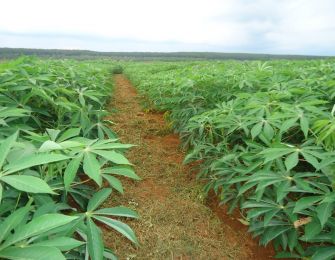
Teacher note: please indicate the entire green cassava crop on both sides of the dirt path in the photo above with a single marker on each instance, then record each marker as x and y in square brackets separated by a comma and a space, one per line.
[261, 134]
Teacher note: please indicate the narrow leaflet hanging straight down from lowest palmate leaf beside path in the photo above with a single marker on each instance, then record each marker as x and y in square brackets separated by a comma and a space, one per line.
[94, 241]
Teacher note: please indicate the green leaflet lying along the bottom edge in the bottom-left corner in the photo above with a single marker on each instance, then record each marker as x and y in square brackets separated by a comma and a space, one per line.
[32, 253]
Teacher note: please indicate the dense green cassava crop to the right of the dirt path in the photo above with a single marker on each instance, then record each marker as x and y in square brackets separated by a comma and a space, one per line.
[264, 135]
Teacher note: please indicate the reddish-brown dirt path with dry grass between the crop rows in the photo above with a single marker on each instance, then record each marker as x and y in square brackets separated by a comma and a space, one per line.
[175, 221]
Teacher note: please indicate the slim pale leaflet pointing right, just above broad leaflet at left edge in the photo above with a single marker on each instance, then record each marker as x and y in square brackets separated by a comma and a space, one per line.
[33, 160]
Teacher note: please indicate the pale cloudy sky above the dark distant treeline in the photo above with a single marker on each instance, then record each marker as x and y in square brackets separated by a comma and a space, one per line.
[253, 26]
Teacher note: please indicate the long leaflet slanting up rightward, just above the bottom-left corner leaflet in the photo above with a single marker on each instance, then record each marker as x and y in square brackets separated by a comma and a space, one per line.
[37, 226]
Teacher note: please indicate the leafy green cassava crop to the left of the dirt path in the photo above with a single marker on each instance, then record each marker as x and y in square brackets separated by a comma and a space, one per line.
[59, 161]
